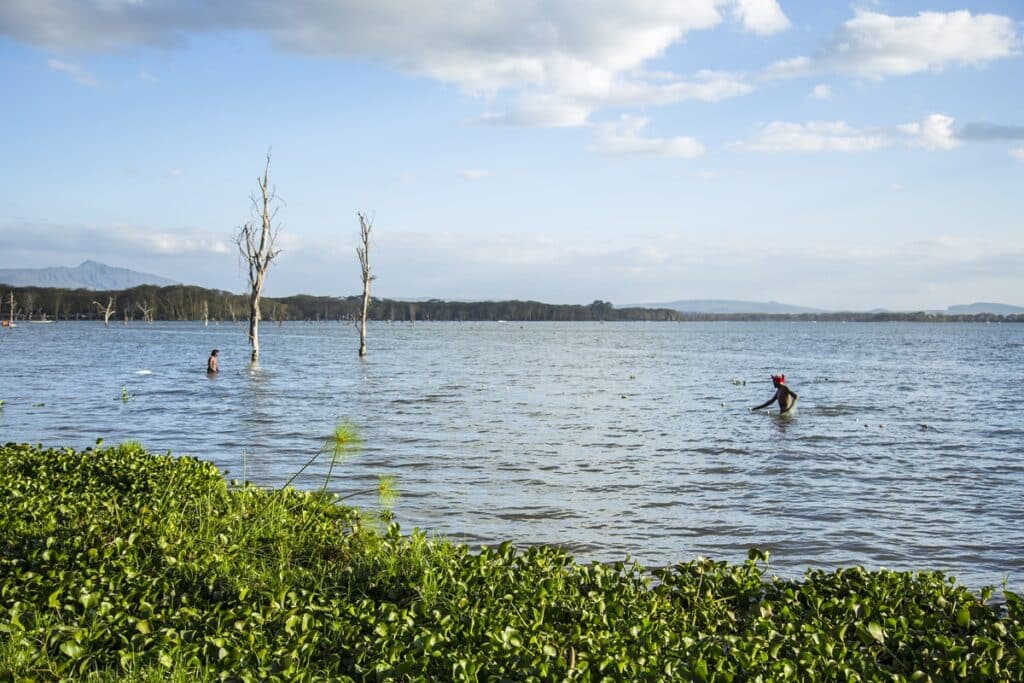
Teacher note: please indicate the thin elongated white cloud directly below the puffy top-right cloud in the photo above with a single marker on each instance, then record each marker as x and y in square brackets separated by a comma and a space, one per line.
[933, 133]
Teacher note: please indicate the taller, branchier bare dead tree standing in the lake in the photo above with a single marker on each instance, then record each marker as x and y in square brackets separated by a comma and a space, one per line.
[255, 241]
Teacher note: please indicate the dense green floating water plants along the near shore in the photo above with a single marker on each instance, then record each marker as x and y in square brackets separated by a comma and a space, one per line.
[121, 566]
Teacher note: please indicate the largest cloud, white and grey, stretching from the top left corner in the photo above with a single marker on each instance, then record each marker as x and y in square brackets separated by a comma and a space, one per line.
[558, 61]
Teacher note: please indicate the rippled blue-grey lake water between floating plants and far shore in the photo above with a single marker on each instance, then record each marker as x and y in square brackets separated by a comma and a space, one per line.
[612, 440]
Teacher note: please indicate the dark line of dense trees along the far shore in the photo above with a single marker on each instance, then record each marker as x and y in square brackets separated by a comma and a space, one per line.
[181, 303]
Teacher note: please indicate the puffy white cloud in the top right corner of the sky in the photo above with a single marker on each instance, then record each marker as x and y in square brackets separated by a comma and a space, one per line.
[875, 46]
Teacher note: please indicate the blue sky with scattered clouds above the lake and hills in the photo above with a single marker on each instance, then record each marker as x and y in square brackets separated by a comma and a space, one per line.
[832, 155]
